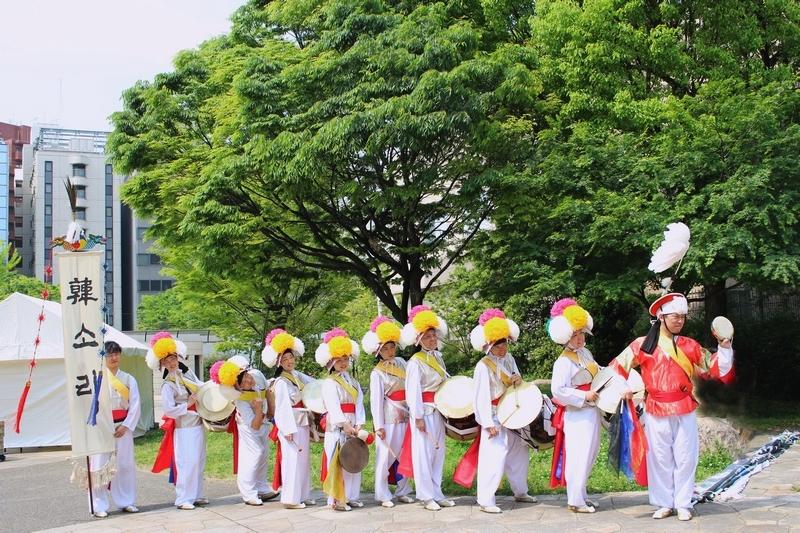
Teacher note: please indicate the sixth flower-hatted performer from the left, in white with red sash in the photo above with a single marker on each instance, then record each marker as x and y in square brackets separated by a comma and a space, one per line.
[425, 373]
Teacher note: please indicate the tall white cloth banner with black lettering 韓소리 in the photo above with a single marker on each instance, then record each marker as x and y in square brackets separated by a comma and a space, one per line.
[81, 281]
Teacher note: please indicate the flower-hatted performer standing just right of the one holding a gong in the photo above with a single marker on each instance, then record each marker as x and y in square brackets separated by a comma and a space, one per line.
[388, 407]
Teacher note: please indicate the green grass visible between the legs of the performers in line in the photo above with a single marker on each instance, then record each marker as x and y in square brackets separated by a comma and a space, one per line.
[220, 460]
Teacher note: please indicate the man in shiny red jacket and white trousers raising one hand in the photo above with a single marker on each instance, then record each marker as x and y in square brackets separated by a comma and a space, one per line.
[670, 423]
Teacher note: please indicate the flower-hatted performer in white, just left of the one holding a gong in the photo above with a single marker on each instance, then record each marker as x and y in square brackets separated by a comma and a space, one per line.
[291, 472]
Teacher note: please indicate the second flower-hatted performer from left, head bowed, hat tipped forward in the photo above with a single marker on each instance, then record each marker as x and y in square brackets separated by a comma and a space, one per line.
[251, 428]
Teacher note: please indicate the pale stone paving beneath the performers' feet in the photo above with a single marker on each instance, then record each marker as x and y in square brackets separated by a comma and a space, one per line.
[770, 503]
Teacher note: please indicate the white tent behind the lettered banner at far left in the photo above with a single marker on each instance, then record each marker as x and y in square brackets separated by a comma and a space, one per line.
[45, 421]
